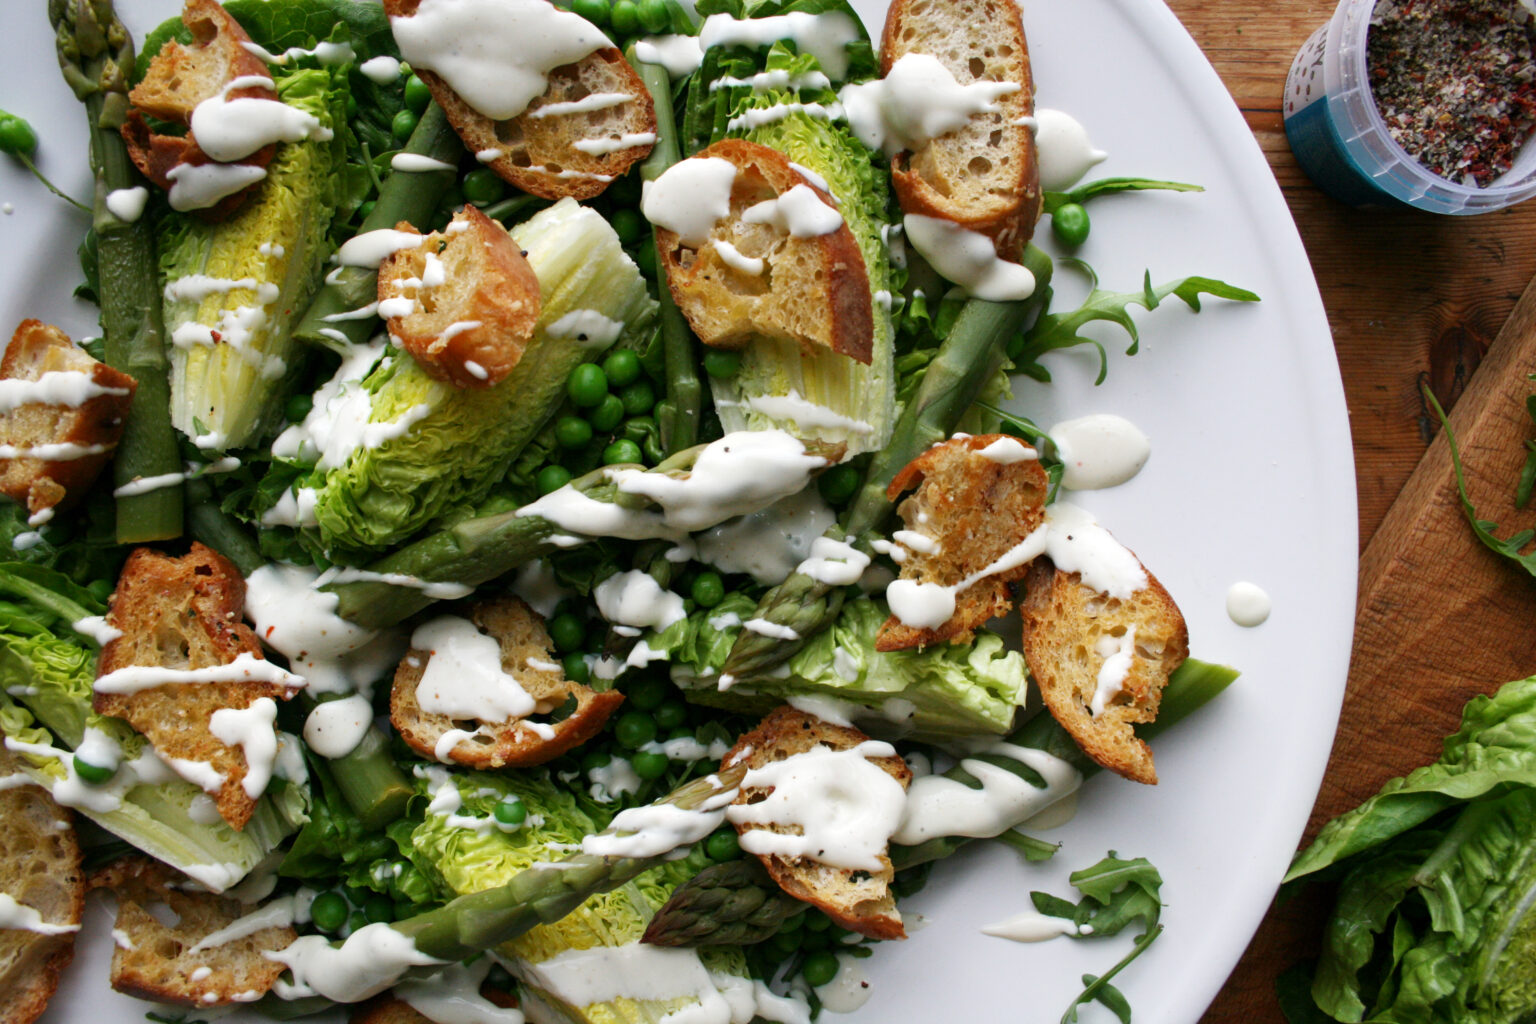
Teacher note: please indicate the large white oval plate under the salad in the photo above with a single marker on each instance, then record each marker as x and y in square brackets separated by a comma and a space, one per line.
[1251, 480]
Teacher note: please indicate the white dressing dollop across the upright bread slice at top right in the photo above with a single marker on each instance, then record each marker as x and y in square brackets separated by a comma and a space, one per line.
[918, 101]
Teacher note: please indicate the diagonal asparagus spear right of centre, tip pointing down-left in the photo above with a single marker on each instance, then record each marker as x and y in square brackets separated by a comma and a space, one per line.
[967, 360]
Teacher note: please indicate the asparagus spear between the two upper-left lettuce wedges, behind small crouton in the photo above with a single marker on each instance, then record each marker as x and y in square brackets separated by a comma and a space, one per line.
[405, 197]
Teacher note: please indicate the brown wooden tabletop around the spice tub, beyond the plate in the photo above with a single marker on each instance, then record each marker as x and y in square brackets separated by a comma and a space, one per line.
[1411, 299]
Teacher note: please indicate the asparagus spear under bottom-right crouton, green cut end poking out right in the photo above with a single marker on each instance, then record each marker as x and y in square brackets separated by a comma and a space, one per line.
[741, 907]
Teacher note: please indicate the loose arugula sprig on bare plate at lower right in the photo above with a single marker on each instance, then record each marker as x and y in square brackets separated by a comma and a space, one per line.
[1116, 894]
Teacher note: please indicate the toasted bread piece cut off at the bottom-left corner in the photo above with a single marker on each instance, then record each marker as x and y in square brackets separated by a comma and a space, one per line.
[39, 870]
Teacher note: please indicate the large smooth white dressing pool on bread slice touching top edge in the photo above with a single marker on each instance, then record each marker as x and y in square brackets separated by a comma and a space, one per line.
[497, 55]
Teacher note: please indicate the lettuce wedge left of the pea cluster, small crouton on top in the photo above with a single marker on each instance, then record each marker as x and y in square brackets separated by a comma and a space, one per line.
[454, 444]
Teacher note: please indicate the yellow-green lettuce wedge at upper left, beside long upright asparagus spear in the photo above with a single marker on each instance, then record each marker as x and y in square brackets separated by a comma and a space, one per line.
[234, 348]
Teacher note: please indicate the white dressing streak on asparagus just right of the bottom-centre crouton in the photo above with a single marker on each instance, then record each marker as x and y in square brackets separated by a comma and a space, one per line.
[944, 807]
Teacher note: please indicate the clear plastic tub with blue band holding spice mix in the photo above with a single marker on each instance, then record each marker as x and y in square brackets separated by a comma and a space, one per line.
[1343, 144]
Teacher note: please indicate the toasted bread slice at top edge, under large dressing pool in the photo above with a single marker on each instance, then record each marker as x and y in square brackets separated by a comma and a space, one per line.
[557, 148]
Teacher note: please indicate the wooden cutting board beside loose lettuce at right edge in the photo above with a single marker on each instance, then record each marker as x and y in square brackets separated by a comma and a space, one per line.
[1440, 619]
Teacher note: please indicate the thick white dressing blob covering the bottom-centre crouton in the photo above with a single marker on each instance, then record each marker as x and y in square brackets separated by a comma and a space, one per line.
[846, 807]
